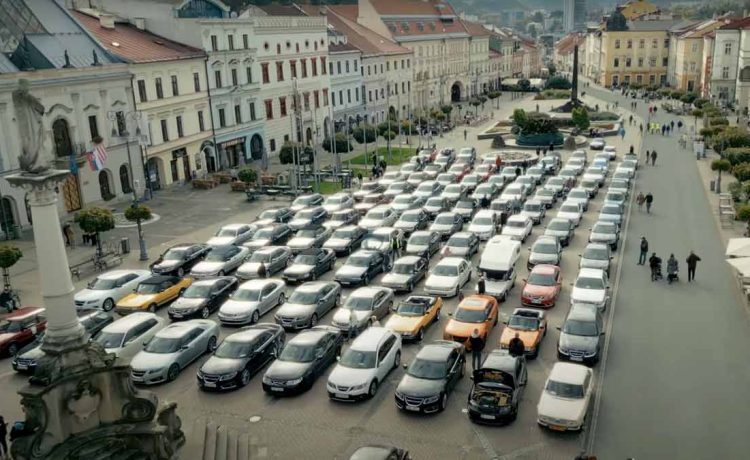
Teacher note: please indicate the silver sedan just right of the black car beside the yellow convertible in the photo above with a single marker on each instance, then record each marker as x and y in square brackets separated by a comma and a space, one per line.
[251, 300]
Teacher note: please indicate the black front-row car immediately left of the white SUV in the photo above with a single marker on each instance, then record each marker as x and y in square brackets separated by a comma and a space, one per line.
[303, 360]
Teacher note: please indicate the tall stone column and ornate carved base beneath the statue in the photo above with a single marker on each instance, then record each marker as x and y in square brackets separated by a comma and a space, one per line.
[80, 403]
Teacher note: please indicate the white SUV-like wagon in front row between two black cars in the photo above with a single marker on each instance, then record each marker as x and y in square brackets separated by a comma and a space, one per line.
[365, 365]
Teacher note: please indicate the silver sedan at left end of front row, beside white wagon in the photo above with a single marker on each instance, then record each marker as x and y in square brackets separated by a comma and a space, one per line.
[172, 349]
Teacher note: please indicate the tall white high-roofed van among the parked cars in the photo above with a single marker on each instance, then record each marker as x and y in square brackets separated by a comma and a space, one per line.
[498, 265]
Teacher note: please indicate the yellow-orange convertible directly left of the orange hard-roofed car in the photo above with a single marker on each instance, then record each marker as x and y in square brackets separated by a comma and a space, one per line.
[413, 315]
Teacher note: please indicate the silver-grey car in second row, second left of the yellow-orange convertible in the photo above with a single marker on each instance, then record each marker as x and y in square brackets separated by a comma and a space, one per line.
[308, 303]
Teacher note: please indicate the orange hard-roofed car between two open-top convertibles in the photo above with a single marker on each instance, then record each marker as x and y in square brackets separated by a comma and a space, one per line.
[474, 312]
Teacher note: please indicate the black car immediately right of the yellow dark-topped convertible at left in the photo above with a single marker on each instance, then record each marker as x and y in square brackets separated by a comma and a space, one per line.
[202, 298]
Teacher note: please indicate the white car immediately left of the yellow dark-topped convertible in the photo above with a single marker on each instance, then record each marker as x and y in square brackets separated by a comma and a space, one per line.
[108, 288]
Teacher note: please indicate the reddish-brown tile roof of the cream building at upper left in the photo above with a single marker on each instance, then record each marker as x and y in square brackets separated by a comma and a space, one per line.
[135, 45]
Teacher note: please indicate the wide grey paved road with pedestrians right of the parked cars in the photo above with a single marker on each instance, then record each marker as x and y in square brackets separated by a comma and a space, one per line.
[677, 375]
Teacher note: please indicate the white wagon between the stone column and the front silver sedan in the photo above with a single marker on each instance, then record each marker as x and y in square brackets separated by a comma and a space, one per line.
[126, 336]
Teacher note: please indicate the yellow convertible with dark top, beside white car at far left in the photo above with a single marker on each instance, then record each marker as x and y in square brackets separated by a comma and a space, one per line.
[152, 293]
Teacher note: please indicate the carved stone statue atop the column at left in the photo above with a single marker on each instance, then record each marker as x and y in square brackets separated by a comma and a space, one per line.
[29, 112]
